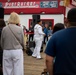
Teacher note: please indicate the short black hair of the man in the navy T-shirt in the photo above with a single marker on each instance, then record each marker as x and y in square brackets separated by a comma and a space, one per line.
[71, 16]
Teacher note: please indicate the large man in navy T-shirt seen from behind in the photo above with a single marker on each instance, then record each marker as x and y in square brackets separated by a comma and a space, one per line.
[62, 45]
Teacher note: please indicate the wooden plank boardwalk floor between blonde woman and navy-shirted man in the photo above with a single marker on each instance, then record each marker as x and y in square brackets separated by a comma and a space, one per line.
[33, 66]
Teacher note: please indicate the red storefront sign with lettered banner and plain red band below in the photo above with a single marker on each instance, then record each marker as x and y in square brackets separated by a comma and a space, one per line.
[32, 6]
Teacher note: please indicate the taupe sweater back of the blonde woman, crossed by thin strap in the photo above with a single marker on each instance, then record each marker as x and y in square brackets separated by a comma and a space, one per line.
[11, 39]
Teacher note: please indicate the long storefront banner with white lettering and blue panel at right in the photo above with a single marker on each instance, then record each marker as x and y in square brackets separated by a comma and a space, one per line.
[41, 4]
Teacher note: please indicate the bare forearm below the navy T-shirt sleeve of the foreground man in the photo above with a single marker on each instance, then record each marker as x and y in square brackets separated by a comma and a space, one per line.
[49, 64]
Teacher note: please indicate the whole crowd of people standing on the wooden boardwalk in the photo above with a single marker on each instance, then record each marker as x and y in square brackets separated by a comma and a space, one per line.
[60, 47]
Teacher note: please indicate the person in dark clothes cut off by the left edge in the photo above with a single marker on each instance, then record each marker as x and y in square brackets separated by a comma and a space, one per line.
[2, 24]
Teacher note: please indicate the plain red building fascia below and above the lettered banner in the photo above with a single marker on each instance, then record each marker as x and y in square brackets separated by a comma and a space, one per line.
[59, 10]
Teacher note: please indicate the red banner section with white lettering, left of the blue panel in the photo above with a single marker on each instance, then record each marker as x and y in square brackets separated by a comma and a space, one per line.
[21, 5]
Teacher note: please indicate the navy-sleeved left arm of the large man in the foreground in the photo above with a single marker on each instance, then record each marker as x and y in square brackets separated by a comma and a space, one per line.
[50, 54]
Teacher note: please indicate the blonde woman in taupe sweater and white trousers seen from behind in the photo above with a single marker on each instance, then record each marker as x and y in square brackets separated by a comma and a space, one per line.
[12, 43]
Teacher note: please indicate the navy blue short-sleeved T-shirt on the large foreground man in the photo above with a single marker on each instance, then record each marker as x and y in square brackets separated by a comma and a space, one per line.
[62, 45]
